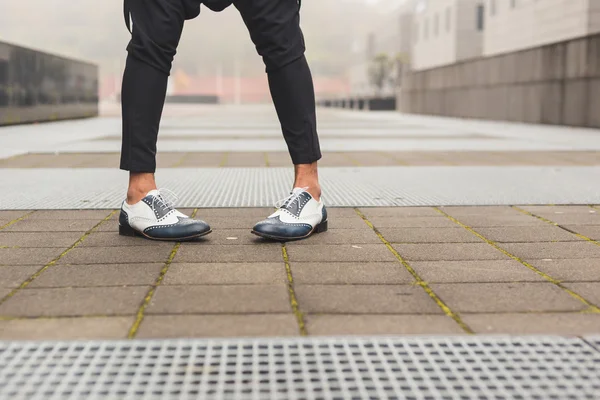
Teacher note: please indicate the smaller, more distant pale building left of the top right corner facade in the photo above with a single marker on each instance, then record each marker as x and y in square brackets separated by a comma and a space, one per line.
[446, 32]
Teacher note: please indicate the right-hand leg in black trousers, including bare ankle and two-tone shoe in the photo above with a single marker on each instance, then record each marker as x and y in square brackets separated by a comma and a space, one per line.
[274, 27]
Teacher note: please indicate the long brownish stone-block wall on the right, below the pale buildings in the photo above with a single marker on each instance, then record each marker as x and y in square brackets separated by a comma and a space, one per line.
[553, 84]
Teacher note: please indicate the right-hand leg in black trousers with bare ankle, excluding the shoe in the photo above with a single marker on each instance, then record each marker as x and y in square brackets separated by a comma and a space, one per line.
[274, 27]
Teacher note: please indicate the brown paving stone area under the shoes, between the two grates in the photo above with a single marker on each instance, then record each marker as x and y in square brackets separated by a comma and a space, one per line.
[451, 270]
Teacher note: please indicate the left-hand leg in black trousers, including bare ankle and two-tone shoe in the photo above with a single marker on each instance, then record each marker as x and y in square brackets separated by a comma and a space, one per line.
[157, 27]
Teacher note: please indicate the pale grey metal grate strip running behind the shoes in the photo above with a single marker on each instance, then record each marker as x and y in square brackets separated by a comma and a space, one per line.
[343, 187]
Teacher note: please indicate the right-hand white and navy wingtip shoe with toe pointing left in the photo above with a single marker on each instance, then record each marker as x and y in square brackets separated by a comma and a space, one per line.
[298, 217]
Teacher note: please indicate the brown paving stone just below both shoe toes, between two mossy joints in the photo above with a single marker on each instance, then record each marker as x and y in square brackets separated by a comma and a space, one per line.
[198, 253]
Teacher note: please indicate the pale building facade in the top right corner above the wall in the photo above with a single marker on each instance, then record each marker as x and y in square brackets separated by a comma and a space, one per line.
[513, 25]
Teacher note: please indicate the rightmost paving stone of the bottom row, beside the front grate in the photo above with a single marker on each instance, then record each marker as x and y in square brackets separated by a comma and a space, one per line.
[534, 324]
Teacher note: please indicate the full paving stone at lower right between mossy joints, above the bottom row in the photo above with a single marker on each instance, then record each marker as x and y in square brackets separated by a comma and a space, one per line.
[506, 297]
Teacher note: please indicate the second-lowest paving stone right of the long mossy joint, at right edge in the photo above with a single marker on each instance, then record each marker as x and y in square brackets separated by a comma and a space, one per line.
[569, 270]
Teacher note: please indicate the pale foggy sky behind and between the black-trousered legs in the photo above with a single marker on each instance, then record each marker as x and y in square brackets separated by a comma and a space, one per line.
[93, 30]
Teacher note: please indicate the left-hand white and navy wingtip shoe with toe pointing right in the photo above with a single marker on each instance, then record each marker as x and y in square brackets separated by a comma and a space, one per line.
[155, 218]
